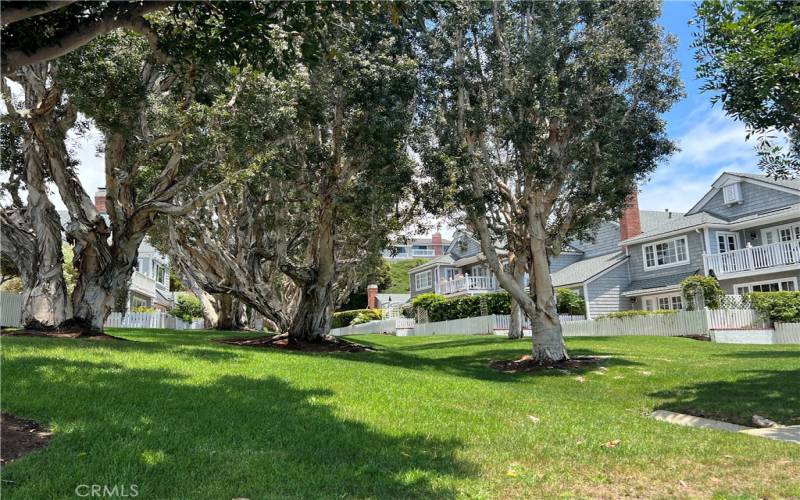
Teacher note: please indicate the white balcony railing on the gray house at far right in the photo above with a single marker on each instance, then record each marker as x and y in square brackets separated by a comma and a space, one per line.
[785, 253]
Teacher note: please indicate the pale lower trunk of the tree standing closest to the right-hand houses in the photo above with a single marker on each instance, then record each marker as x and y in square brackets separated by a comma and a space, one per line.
[548, 340]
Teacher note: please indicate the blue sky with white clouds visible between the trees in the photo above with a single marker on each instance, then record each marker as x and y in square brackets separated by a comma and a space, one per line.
[710, 142]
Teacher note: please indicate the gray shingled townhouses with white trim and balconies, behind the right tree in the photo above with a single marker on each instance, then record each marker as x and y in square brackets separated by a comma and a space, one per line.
[745, 231]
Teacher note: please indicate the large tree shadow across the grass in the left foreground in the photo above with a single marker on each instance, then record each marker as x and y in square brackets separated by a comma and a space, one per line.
[232, 437]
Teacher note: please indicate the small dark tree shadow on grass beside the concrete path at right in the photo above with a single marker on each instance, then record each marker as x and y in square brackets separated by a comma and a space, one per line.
[770, 393]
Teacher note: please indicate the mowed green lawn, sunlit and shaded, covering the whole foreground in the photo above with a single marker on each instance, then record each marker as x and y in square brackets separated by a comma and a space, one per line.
[182, 417]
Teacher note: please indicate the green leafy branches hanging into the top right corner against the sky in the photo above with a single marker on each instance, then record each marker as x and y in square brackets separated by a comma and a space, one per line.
[747, 53]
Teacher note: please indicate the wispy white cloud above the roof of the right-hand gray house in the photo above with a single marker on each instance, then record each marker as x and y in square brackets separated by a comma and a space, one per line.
[712, 143]
